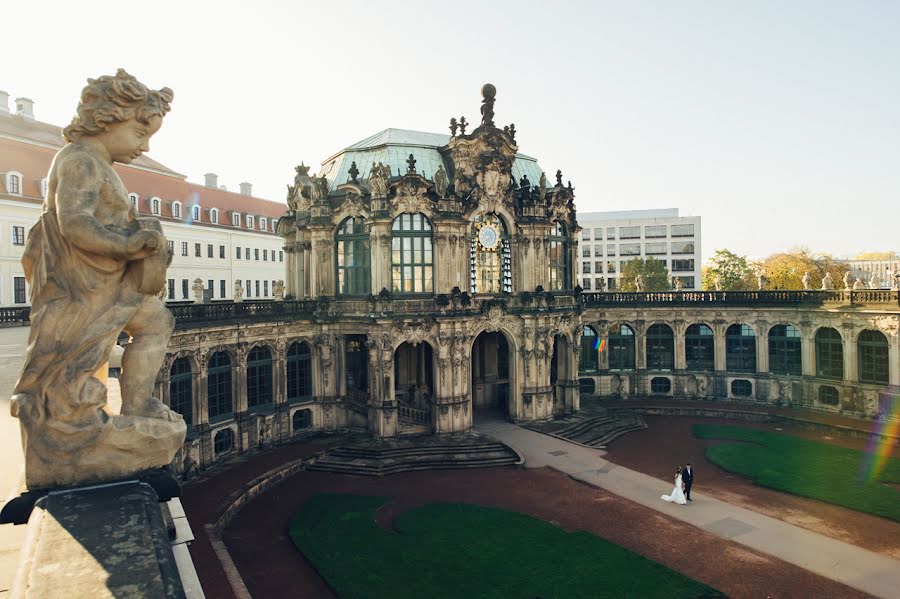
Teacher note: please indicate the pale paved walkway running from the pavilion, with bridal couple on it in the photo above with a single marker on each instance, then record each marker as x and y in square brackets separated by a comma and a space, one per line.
[864, 570]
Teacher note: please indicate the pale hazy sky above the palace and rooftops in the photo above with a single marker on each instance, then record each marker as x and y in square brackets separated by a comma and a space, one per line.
[777, 122]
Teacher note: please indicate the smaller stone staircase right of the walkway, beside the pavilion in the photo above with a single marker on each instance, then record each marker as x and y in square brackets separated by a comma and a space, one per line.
[594, 428]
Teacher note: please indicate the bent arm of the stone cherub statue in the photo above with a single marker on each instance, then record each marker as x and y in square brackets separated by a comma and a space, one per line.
[77, 199]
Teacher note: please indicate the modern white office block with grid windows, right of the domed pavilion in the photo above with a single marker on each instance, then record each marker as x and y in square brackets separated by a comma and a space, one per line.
[610, 239]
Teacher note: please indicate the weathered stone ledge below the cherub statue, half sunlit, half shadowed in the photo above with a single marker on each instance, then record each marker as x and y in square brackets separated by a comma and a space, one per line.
[98, 542]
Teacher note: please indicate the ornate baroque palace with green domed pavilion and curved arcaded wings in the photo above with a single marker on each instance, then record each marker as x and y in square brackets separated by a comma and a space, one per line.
[431, 275]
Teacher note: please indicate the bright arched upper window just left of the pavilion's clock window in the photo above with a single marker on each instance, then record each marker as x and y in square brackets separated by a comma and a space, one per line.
[412, 259]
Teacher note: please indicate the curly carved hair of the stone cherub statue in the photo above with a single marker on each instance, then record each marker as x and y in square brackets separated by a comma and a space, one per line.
[115, 99]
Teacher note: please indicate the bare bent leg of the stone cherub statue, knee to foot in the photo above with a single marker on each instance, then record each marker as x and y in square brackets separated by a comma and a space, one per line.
[150, 329]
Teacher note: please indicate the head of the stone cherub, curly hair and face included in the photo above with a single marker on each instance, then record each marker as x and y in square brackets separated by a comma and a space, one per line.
[120, 112]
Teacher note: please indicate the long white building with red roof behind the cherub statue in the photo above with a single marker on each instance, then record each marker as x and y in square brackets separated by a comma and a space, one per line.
[215, 235]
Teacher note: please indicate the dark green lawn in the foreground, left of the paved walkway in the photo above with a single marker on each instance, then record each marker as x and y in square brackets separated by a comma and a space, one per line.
[460, 550]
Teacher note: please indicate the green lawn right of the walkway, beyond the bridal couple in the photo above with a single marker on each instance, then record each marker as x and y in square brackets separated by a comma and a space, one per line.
[809, 468]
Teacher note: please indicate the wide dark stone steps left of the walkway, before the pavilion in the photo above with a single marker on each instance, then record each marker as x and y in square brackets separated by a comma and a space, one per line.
[425, 453]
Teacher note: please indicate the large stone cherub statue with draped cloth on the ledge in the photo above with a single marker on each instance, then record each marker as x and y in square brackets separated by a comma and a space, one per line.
[95, 268]
